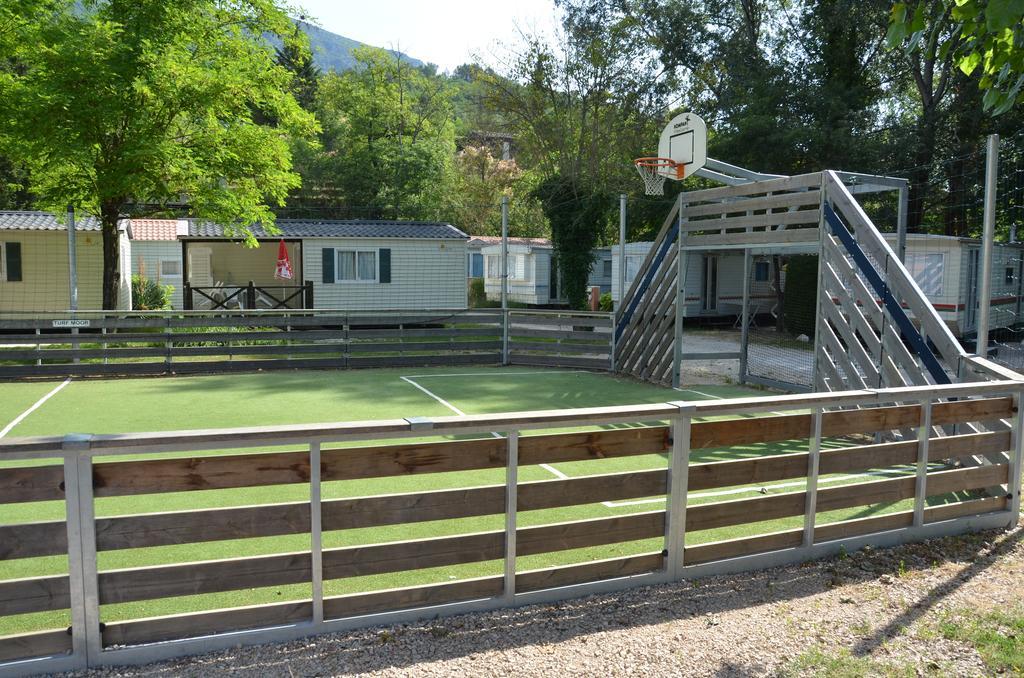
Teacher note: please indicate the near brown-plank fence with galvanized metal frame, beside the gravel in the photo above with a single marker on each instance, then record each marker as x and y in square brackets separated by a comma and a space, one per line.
[666, 541]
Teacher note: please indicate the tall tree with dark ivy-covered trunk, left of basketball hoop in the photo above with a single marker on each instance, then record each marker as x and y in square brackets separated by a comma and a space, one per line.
[582, 109]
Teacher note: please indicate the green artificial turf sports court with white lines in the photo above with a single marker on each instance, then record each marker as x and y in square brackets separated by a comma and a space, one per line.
[55, 408]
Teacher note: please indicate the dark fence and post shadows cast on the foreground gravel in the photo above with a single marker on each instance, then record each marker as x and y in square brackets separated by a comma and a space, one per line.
[382, 649]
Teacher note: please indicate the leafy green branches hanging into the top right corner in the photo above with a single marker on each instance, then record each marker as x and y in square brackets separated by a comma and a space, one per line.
[987, 36]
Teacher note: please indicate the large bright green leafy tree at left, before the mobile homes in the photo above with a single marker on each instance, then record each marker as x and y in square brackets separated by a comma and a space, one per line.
[111, 104]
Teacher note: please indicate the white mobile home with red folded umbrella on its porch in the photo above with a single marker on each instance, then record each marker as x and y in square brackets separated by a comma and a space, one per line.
[346, 266]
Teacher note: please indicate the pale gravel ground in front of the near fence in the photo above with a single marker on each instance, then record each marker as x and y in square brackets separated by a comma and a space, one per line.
[872, 604]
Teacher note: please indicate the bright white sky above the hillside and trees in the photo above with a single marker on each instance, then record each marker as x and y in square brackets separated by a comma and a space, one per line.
[443, 32]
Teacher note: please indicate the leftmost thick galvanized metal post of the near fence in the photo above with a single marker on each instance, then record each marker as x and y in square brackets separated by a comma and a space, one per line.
[84, 590]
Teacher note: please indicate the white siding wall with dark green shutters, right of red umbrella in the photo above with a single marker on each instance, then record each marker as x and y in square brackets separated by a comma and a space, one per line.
[426, 275]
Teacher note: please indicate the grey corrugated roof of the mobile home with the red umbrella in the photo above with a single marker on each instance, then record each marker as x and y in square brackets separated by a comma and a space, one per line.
[340, 229]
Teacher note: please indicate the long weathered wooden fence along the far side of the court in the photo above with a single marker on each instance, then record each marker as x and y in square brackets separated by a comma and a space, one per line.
[197, 343]
